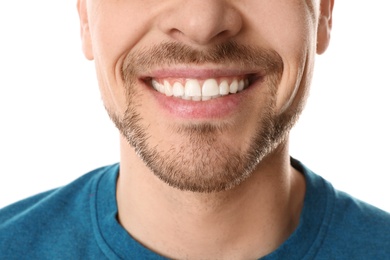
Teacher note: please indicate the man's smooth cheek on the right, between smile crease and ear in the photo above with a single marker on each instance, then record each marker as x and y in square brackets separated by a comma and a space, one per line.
[288, 28]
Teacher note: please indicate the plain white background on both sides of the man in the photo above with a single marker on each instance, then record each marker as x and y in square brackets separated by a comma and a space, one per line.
[53, 127]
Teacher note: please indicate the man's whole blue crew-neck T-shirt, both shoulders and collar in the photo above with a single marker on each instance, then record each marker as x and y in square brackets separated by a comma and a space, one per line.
[78, 221]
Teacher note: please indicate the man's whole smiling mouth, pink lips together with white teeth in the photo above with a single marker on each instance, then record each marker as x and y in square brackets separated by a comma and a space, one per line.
[207, 94]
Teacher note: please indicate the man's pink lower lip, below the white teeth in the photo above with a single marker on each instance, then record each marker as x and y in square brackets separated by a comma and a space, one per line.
[217, 108]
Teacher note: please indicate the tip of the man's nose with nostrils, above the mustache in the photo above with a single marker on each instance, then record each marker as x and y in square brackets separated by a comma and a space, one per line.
[202, 22]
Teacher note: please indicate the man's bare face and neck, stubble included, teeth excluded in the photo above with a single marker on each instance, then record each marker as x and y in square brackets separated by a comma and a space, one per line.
[211, 205]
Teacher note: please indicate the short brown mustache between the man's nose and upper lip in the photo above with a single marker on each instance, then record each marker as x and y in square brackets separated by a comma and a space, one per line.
[171, 53]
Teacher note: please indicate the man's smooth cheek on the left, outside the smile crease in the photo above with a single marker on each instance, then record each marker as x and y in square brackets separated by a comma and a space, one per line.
[115, 30]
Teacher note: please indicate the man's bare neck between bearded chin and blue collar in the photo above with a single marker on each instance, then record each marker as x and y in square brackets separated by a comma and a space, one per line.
[248, 221]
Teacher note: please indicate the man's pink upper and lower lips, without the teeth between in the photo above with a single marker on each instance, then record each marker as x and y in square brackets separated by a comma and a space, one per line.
[218, 108]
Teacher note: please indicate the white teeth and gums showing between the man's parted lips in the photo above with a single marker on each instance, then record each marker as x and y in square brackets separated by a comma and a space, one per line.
[201, 89]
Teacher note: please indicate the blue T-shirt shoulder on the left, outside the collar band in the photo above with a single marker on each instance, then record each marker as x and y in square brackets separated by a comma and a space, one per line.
[53, 221]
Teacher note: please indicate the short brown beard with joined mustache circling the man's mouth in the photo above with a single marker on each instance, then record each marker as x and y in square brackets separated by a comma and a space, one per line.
[202, 160]
